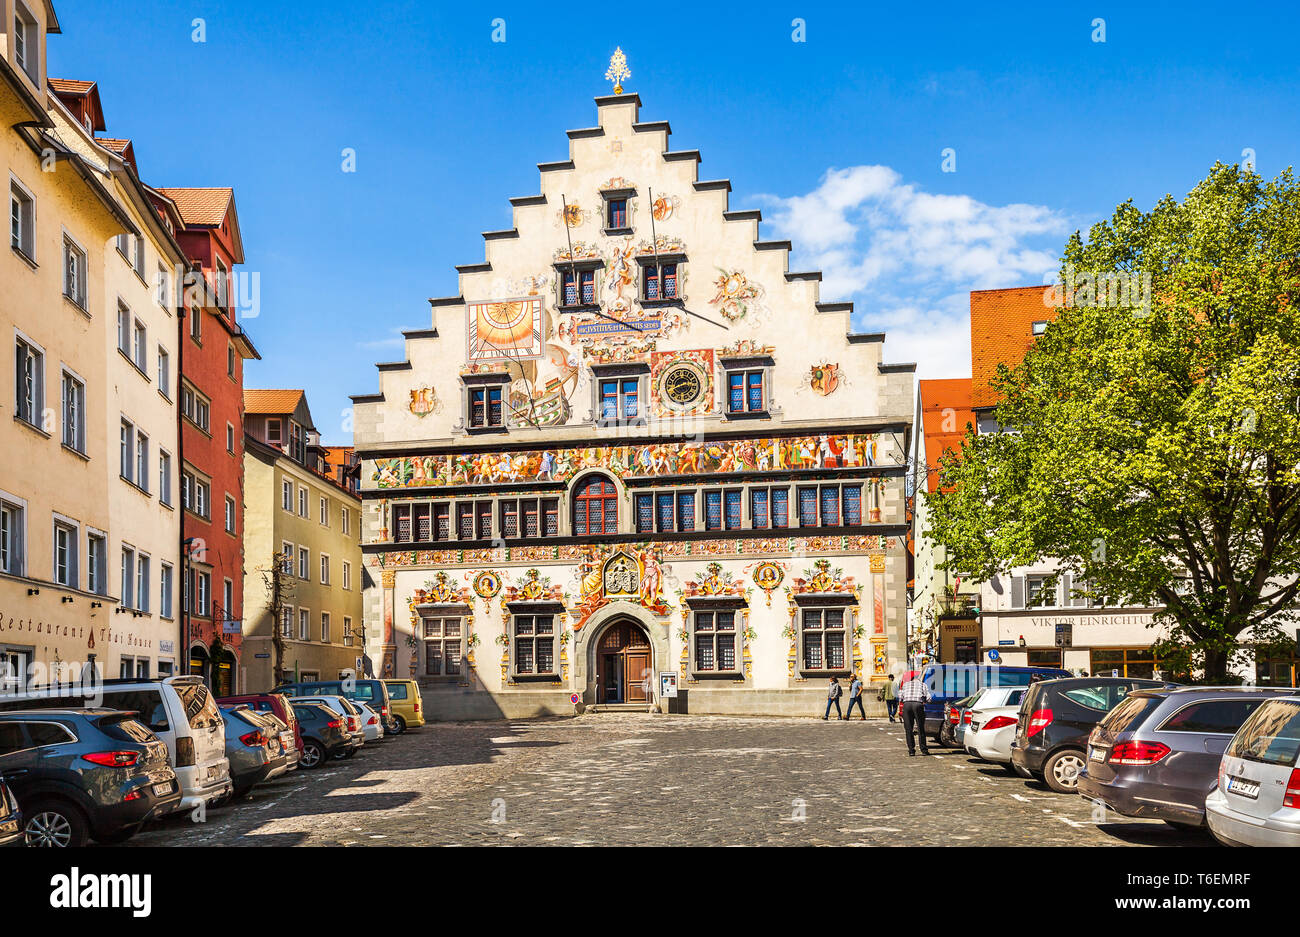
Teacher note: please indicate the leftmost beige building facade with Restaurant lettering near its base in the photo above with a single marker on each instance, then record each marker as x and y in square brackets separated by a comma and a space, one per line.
[60, 582]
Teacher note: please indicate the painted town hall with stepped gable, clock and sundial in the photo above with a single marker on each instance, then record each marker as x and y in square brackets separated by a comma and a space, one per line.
[635, 445]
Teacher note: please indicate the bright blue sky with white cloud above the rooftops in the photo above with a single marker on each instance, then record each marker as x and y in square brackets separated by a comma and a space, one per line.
[839, 140]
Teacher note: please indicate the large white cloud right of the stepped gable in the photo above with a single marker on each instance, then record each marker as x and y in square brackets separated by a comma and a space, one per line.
[911, 259]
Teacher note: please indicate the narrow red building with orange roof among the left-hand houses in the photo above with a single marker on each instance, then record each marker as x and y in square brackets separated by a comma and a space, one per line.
[214, 350]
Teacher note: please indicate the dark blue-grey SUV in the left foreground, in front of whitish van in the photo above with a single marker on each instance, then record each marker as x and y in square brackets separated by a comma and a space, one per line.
[85, 774]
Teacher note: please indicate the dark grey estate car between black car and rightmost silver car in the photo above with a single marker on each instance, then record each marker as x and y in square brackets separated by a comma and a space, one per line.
[1158, 754]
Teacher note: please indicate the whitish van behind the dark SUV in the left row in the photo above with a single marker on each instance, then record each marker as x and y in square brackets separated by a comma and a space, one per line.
[179, 710]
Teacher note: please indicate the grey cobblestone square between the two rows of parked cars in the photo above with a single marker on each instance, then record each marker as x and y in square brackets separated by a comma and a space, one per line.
[642, 780]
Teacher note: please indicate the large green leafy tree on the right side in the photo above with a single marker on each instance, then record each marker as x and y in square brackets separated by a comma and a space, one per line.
[1155, 445]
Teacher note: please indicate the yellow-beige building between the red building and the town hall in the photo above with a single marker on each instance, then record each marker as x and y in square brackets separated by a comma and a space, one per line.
[302, 548]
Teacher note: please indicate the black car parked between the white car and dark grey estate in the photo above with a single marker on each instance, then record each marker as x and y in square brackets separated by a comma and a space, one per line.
[1056, 718]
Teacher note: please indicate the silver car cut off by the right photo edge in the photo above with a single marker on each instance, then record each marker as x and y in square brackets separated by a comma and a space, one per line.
[1258, 799]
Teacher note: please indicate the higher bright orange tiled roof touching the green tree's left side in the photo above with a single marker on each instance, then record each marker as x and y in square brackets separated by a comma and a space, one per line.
[1002, 332]
